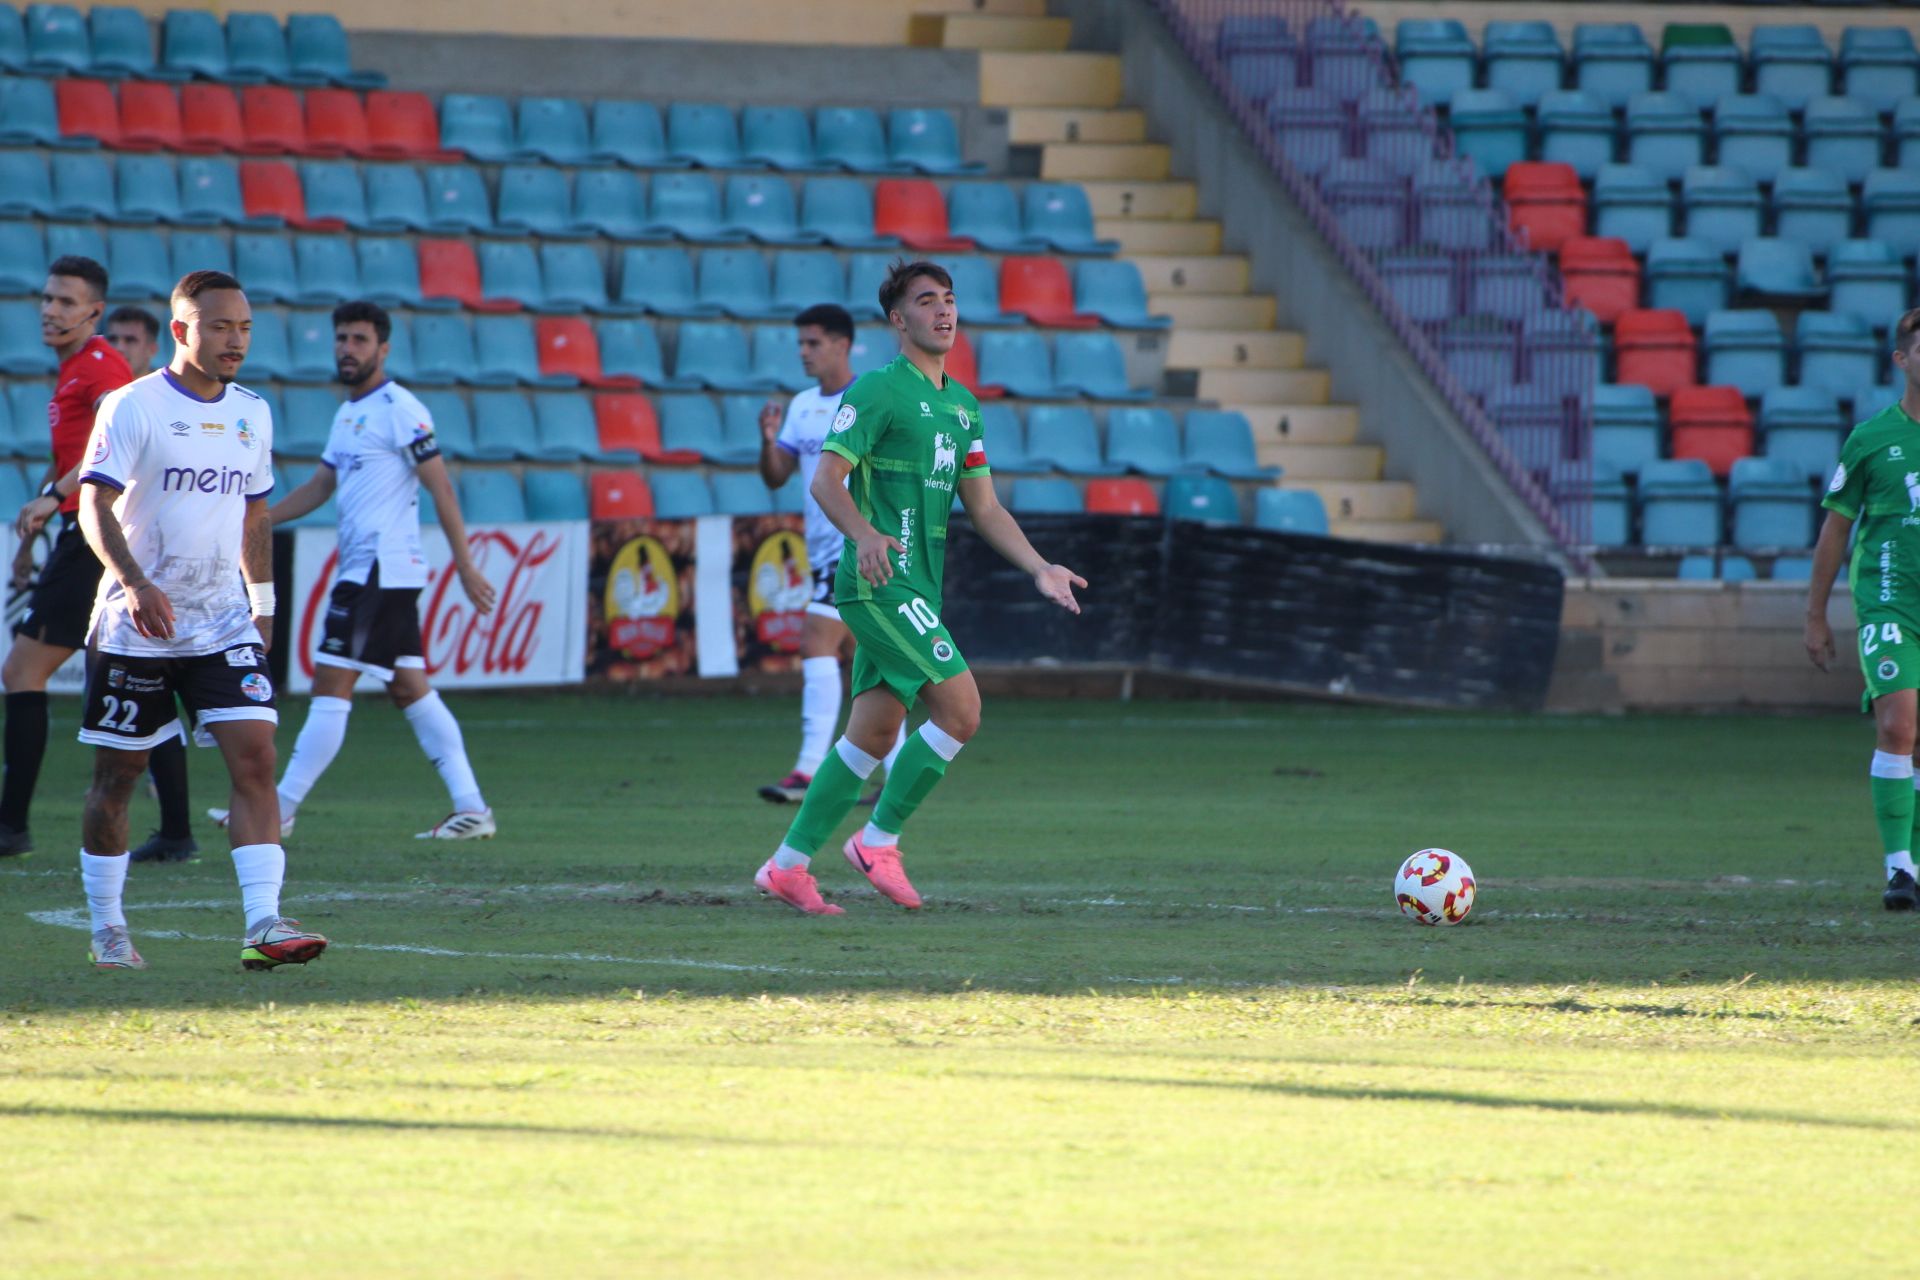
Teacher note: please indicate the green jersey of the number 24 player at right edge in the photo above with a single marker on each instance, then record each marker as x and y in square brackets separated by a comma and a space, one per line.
[1879, 485]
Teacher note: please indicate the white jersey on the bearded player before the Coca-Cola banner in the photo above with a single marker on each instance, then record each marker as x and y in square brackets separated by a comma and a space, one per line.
[375, 446]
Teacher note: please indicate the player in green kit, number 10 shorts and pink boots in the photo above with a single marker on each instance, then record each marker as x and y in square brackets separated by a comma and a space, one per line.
[905, 440]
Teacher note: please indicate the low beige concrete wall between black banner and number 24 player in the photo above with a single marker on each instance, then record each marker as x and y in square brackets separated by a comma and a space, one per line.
[1683, 646]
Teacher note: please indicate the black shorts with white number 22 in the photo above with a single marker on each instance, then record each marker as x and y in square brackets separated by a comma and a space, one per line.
[133, 699]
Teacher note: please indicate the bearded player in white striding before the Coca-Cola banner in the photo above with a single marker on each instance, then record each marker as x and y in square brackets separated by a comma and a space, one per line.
[377, 458]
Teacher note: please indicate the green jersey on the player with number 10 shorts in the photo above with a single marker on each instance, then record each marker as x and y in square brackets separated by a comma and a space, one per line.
[911, 444]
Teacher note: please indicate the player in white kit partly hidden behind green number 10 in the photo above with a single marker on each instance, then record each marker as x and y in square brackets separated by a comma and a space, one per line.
[792, 442]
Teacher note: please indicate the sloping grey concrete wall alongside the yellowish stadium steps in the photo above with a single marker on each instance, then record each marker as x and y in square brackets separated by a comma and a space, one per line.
[1399, 406]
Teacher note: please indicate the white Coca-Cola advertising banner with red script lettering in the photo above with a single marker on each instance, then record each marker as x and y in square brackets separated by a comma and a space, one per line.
[535, 636]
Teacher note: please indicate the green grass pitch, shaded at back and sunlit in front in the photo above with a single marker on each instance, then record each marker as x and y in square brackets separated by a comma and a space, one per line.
[1159, 1018]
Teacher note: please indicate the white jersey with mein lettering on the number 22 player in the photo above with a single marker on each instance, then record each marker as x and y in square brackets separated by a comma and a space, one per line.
[185, 471]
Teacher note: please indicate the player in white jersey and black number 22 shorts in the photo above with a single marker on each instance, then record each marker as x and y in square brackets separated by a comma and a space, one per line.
[176, 481]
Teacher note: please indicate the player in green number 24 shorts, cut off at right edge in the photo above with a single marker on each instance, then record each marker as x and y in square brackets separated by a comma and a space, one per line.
[1879, 485]
